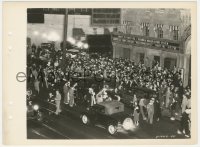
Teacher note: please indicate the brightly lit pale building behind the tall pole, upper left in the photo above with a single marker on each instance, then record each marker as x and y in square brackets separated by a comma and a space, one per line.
[81, 22]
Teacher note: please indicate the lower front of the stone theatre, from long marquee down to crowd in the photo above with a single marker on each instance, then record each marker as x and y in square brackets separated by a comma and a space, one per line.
[167, 53]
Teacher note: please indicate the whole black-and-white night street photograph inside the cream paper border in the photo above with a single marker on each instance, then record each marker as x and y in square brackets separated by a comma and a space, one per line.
[108, 73]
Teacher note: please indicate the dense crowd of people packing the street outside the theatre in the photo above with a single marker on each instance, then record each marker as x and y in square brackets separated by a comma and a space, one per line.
[53, 75]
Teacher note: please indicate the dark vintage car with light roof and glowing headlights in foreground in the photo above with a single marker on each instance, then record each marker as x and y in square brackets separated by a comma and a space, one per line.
[110, 115]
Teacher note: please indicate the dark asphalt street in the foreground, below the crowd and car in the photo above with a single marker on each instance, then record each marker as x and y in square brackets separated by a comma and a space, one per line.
[69, 126]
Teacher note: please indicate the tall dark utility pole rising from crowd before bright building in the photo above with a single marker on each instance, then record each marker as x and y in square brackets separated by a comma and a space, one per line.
[65, 35]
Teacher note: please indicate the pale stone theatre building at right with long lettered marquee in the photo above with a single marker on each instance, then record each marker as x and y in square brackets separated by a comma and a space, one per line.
[155, 35]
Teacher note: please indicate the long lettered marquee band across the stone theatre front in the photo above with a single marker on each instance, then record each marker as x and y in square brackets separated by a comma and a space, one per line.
[150, 42]
